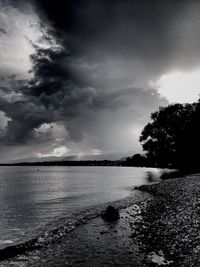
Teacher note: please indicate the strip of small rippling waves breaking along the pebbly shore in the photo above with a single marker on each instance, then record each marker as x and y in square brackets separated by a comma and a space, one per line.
[55, 230]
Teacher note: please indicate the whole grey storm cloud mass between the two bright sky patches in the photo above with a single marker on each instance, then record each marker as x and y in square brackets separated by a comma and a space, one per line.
[101, 57]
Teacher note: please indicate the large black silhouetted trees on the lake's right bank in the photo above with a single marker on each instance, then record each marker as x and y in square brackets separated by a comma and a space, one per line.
[172, 137]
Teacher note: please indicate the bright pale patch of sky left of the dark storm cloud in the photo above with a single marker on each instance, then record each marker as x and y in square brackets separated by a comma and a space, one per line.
[18, 30]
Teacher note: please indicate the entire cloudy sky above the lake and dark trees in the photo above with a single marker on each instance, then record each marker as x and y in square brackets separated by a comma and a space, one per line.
[80, 78]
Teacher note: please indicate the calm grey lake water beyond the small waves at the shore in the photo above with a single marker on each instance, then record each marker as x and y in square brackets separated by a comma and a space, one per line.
[30, 197]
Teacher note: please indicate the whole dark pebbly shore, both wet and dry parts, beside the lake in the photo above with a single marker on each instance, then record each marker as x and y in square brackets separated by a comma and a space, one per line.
[162, 229]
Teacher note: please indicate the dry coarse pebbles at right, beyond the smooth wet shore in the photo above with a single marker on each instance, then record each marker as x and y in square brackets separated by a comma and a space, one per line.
[171, 221]
